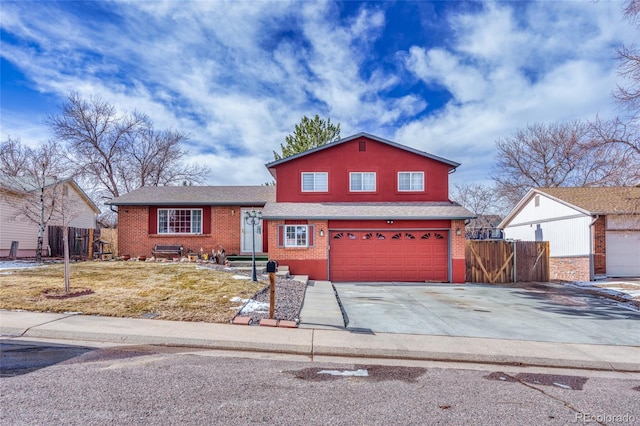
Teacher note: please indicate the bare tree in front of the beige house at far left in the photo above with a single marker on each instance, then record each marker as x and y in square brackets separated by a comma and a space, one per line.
[30, 182]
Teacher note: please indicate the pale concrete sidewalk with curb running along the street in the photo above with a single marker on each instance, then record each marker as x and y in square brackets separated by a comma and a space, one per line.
[318, 342]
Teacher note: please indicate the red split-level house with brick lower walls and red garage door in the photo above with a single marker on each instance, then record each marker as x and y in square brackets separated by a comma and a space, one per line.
[359, 209]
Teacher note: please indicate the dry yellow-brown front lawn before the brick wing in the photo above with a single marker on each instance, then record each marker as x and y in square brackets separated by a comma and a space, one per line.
[130, 289]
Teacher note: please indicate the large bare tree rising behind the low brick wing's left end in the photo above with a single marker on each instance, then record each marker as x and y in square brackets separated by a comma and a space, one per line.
[118, 153]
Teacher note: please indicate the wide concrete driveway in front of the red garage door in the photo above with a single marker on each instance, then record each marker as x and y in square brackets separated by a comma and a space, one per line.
[527, 311]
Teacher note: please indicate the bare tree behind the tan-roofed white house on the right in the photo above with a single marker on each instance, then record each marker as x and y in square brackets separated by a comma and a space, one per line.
[559, 154]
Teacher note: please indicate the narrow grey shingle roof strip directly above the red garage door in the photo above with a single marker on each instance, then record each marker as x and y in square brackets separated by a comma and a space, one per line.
[366, 211]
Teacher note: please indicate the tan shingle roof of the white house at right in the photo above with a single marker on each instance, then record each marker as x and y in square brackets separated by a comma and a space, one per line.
[601, 200]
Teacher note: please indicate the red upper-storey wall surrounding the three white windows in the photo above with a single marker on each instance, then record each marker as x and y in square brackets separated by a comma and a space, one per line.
[362, 155]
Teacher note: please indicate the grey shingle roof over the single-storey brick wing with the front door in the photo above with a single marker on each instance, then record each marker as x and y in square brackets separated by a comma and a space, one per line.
[197, 195]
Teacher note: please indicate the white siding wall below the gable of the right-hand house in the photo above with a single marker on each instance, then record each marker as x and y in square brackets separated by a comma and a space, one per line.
[567, 237]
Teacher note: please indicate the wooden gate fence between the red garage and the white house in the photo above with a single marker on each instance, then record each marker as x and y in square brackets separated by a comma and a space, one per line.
[500, 261]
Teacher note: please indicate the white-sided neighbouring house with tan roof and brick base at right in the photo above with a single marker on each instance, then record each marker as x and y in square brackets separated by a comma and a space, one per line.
[592, 232]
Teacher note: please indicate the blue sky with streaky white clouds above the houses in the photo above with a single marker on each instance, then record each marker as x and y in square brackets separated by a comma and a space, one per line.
[449, 78]
